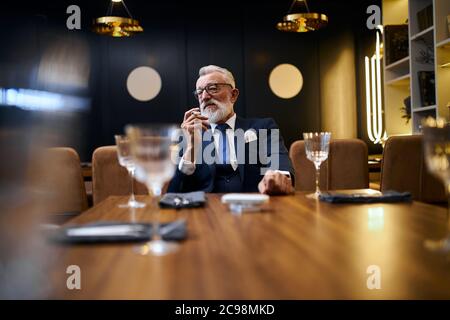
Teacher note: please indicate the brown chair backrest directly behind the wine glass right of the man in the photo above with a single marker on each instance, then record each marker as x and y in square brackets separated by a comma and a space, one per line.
[346, 167]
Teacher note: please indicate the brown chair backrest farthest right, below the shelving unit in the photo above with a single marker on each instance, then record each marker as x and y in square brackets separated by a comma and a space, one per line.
[403, 169]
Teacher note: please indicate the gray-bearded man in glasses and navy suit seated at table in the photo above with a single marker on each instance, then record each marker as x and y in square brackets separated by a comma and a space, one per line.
[256, 160]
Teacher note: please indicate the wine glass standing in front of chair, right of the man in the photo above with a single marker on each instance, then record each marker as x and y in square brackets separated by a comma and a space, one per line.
[317, 145]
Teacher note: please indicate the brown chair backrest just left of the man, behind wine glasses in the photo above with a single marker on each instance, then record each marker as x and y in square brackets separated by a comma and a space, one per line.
[109, 177]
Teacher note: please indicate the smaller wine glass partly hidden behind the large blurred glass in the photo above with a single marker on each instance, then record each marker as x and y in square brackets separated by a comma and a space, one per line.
[126, 160]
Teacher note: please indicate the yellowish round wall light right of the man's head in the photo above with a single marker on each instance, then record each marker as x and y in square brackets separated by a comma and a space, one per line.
[285, 81]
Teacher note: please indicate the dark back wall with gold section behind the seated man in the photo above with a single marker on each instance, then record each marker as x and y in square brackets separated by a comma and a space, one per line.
[89, 71]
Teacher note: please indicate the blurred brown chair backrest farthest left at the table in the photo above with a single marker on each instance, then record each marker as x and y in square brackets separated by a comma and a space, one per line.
[58, 174]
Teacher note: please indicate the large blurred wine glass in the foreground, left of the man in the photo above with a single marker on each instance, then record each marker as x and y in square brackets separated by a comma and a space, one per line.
[154, 149]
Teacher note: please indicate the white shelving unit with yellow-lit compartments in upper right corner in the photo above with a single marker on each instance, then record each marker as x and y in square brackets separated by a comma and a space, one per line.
[429, 51]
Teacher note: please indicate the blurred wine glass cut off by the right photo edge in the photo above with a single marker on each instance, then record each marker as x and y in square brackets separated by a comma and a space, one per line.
[436, 138]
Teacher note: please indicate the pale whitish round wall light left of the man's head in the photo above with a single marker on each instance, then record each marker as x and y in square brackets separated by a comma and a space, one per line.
[144, 83]
